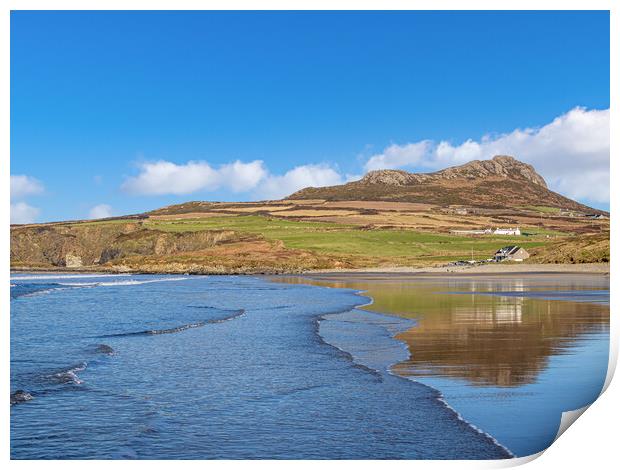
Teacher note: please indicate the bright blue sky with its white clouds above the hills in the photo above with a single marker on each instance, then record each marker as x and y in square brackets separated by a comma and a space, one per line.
[108, 109]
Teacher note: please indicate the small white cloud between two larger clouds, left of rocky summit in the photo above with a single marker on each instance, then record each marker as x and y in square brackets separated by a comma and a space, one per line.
[278, 186]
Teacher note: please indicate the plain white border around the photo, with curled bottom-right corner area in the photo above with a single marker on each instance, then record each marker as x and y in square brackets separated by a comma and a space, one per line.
[591, 443]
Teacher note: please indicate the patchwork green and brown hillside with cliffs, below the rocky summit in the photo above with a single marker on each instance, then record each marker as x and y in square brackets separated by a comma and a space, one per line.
[294, 236]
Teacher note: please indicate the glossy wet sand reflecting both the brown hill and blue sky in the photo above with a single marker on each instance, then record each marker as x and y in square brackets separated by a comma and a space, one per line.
[509, 350]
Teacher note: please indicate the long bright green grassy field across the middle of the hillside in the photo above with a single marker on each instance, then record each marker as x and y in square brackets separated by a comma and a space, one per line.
[329, 238]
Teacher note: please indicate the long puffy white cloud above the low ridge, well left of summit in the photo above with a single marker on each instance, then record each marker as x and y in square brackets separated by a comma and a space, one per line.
[164, 177]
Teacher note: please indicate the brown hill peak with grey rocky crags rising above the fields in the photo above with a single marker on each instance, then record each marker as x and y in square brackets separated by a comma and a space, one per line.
[501, 182]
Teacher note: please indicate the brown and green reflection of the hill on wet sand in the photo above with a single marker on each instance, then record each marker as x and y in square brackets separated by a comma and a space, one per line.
[462, 332]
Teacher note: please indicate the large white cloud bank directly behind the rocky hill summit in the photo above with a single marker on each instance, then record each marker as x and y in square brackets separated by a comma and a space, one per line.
[571, 153]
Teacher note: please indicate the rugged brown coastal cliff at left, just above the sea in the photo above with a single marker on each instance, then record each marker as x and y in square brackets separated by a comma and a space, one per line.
[133, 247]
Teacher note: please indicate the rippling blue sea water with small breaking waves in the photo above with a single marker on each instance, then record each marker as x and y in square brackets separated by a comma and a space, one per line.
[208, 367]
